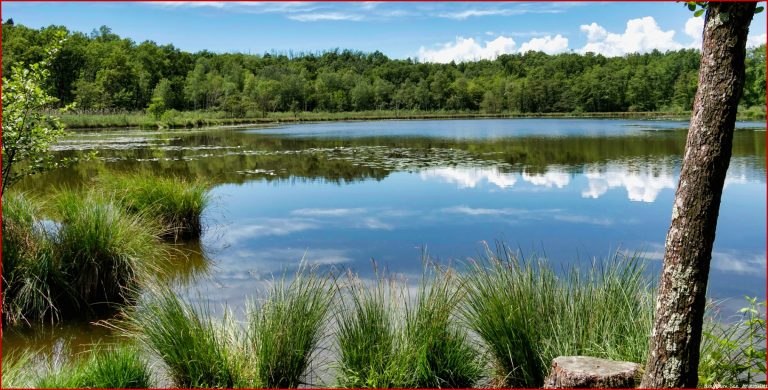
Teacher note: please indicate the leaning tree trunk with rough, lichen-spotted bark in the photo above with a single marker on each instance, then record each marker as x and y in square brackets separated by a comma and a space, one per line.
[674, 347]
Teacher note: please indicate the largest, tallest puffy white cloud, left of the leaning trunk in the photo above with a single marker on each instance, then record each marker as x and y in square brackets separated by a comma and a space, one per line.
[641, 36]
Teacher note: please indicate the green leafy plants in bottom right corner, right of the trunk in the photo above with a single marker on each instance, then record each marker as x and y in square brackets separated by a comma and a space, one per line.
[734, 354]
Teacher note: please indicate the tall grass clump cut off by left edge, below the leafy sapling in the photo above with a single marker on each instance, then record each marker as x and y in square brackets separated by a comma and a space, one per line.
[33, 281]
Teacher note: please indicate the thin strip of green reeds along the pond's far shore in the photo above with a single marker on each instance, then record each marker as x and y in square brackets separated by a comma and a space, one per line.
[195, 119]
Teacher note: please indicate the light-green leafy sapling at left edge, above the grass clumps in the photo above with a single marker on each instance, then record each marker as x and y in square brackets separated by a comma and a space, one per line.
[28, 133]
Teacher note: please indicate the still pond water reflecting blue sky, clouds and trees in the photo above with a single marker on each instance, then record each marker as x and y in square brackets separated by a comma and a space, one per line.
[341, 194]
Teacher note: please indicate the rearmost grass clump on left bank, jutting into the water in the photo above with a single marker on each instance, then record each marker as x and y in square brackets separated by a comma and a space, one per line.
[177, 203]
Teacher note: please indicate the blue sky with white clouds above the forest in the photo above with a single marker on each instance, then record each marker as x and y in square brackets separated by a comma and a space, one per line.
[431, 31]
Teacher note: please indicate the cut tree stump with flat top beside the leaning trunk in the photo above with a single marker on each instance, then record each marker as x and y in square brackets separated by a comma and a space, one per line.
[589, 372]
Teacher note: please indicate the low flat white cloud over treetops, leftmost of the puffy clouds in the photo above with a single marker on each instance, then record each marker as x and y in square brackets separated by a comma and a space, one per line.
[467, 49]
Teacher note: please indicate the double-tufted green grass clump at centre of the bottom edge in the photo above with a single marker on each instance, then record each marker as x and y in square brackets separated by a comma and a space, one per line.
[417, 345]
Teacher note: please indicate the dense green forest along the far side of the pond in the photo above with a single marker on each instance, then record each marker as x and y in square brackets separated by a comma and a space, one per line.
[103, 73]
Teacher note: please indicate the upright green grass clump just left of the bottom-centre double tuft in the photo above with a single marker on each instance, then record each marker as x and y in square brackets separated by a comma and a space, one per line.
[287, 327]
